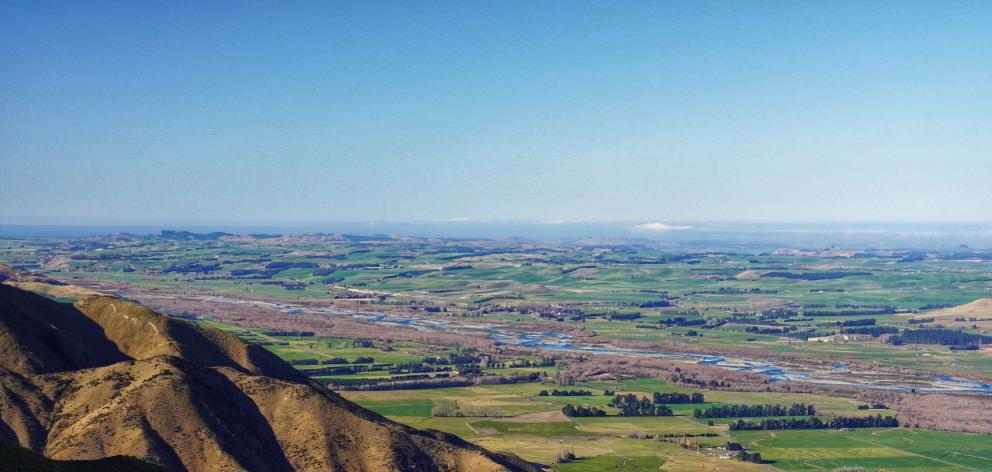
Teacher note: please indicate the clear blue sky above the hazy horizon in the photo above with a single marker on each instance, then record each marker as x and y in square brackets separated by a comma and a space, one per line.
[239, 112]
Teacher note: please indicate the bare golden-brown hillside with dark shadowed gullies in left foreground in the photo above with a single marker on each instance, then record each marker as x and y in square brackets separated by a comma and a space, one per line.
[106, 377]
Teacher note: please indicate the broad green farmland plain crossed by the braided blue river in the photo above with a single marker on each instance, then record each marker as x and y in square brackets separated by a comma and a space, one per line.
[475, 338]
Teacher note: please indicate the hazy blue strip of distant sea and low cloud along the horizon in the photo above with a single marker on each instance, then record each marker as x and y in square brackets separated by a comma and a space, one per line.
[705, 234]
